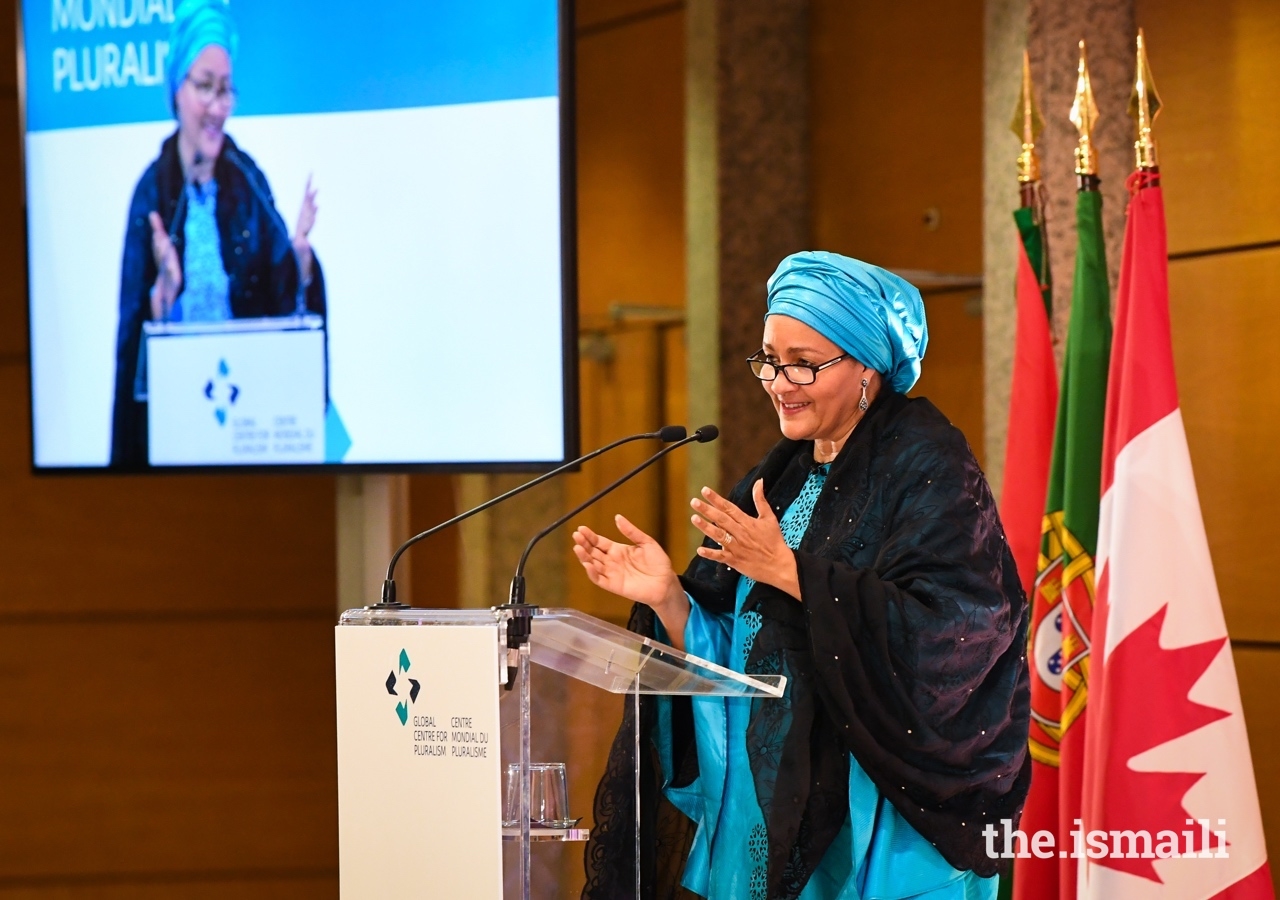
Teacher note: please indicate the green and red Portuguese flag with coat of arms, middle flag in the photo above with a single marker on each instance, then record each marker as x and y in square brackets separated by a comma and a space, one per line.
[1063, 602]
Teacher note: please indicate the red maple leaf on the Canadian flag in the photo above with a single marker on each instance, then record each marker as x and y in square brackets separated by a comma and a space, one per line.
[1146, 706]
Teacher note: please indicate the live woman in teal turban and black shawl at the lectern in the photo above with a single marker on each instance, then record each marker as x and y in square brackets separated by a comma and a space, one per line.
[865, 560]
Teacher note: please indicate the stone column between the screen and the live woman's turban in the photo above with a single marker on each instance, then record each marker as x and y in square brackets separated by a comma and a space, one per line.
[747, 208]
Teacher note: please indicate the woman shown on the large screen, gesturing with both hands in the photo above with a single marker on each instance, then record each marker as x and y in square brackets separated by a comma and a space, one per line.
[204, 241]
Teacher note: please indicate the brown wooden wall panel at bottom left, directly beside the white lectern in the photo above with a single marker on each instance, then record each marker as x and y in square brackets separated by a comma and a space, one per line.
[164, 747]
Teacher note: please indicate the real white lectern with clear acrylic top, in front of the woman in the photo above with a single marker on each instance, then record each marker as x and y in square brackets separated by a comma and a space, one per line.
[419, 738]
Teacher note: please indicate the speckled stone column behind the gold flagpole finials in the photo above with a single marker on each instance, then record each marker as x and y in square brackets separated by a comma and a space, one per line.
[1052, 31]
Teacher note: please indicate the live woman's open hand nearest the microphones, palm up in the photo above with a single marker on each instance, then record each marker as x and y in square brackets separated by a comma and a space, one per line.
[639, 572]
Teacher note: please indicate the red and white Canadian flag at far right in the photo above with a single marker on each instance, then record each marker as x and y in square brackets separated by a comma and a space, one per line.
[1168, 755]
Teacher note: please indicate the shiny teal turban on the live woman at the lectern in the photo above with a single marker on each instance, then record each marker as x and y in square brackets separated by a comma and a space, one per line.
[871, 314]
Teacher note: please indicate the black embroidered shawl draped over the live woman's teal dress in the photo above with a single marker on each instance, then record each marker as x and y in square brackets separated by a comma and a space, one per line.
[908, 651]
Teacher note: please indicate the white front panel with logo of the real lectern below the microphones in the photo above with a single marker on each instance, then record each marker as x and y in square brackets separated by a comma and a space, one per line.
[419, 764]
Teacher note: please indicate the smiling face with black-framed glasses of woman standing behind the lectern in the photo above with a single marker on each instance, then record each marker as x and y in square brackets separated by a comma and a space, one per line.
[826, 410]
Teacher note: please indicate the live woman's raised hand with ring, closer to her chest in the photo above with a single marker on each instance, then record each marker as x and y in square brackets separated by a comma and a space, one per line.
[753, 546]
